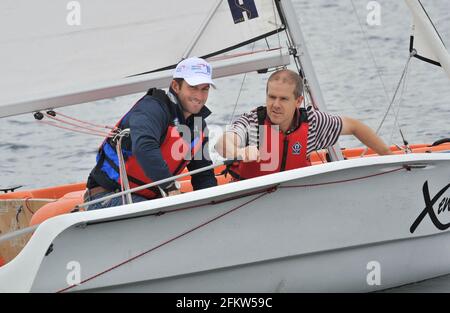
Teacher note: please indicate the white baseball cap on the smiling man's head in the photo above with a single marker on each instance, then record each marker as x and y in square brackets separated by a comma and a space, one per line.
[194, 71]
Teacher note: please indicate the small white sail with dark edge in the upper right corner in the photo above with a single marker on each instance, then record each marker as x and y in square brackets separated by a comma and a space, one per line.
[425, 41]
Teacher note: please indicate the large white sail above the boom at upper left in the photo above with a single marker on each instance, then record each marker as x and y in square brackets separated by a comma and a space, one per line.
[53, 48]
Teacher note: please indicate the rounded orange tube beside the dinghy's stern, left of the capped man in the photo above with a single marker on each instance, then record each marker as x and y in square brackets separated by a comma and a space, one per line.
[64, 205]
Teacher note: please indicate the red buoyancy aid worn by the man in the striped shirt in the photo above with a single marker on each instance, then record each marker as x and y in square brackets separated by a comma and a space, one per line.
[278, 151]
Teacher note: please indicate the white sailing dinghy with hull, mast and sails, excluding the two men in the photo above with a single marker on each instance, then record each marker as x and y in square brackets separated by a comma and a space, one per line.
[267, 234]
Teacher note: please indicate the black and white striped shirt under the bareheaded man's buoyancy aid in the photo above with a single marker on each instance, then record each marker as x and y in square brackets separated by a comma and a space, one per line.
[323, 129]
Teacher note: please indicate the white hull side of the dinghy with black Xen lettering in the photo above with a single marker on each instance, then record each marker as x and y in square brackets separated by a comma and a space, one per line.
[305, 225]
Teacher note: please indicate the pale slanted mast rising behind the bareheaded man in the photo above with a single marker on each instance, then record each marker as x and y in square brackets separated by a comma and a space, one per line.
[302, 55]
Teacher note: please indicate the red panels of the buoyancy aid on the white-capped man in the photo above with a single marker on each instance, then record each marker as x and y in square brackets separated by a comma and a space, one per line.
[175, 151]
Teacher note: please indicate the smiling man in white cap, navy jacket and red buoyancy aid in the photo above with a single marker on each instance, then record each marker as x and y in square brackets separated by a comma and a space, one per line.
[167, 134]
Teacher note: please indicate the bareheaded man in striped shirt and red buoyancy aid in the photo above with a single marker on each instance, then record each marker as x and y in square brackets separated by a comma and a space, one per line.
[281, 135]
